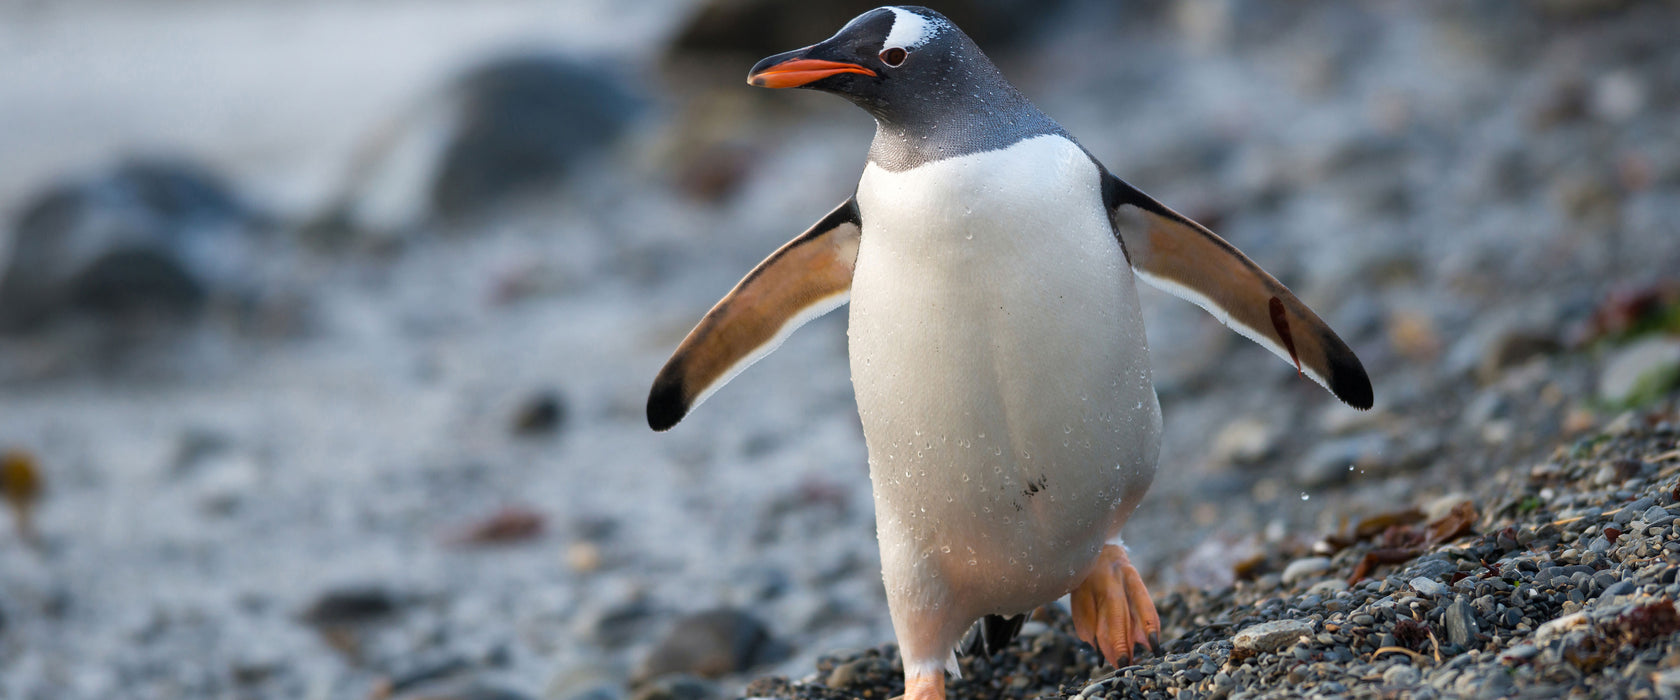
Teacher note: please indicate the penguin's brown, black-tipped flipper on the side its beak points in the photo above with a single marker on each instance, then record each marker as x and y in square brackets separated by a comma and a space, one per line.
[807, 278]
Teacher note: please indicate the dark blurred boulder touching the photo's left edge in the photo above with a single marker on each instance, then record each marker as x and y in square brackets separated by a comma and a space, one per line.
[147, 239]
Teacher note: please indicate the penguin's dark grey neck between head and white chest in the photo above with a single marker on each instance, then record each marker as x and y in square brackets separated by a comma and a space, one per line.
[948, 122]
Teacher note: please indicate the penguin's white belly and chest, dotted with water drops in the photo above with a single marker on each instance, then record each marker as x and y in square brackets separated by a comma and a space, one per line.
[1002, 375]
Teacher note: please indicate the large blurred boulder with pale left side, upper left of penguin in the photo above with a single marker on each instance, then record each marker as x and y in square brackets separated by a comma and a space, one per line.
[507, 128]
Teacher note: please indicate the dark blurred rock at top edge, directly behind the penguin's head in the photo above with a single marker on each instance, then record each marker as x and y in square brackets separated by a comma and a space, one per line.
[764, 28]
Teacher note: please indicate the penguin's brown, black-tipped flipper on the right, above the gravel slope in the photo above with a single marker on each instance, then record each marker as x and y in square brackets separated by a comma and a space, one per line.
[1184, 258]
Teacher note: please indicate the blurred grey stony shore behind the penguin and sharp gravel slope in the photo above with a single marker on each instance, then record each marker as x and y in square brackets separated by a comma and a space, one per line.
[327, 326]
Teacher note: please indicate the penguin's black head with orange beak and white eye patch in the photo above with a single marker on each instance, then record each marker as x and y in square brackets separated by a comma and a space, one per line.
[885, 61]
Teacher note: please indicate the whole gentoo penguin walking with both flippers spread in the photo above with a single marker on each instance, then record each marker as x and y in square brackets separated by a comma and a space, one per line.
[995, 340]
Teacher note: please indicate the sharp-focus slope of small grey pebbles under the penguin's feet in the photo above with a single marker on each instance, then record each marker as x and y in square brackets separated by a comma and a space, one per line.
[1557, 580]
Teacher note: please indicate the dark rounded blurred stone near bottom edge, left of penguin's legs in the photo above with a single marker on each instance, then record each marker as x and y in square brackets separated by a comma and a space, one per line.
[711, 644]
